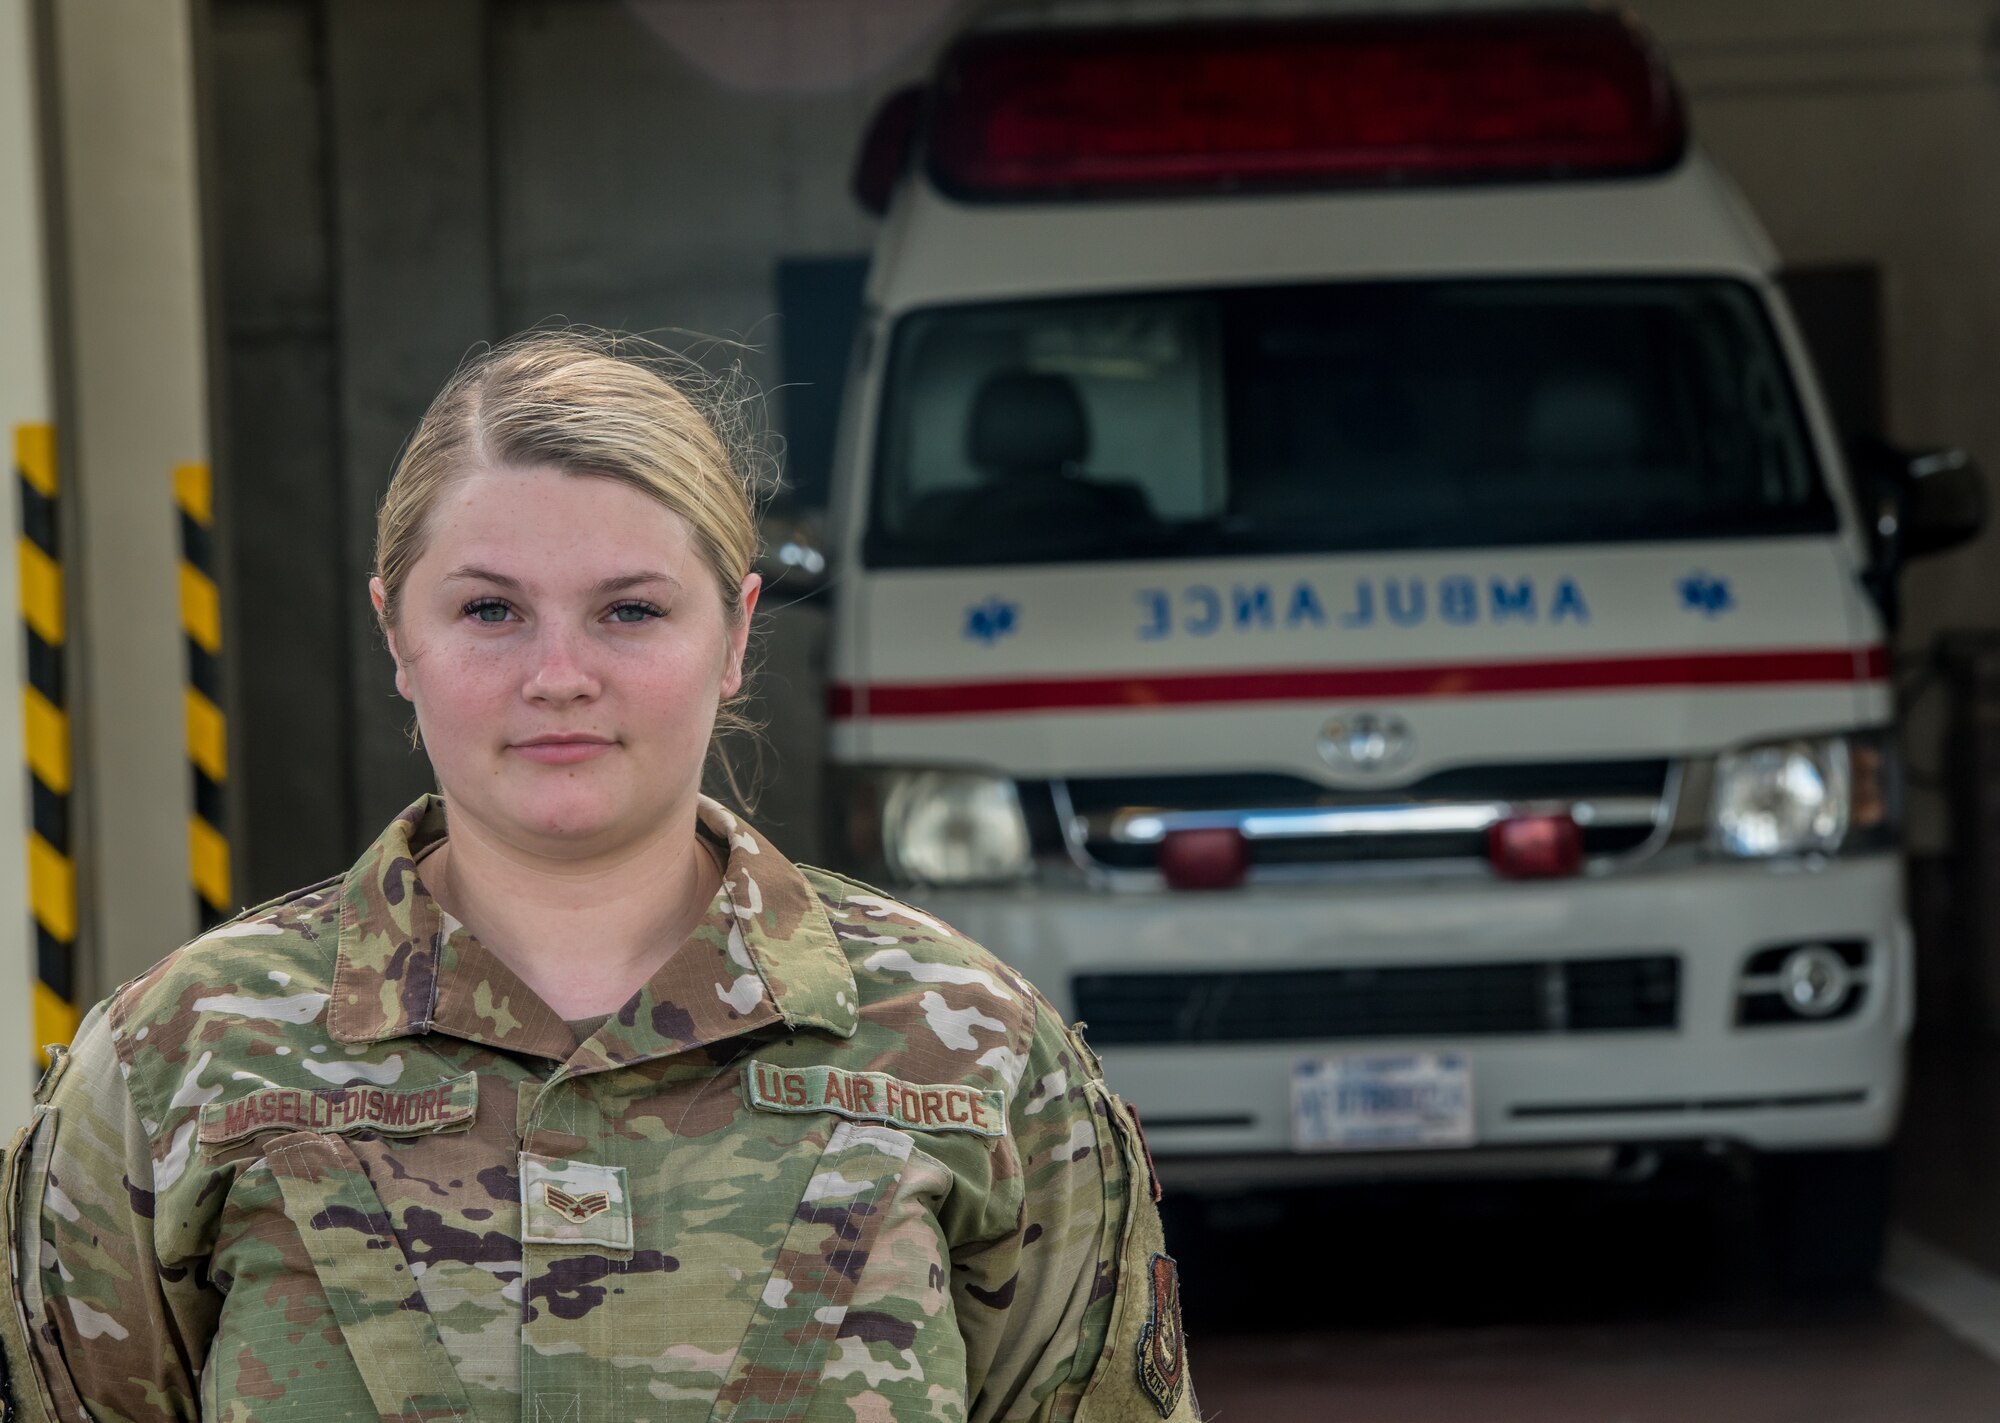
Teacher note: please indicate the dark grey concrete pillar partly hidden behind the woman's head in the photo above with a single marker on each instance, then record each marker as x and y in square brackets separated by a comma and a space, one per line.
[417, 281]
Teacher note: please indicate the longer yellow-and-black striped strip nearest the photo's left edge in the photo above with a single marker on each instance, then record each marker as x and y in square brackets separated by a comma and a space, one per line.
[47, 720]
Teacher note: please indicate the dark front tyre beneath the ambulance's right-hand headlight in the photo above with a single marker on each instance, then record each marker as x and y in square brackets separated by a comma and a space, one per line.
[1825, 1216]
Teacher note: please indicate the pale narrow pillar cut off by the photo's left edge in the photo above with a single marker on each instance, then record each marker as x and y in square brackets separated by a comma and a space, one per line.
[25, 403]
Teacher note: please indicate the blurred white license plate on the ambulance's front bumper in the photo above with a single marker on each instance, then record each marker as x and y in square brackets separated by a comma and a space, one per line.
[1381, 1102]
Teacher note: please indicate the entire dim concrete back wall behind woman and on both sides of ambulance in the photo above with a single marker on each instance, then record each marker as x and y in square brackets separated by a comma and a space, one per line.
[647, 165]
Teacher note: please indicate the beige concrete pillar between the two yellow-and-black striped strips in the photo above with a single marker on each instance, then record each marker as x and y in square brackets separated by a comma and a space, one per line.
[135, 409]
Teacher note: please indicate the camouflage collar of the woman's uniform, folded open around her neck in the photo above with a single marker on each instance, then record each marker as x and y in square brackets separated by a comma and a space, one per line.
[765, 954]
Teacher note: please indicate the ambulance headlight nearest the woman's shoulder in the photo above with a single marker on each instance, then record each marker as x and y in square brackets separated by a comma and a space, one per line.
[955, 828]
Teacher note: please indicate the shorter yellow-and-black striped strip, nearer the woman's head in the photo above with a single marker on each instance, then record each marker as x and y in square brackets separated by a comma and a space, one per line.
[201, 621]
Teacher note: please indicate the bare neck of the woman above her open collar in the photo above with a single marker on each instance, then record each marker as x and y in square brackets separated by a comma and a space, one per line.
[583, 934]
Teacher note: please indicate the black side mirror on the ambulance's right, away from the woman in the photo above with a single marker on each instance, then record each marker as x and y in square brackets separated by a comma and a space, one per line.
[1915, 505]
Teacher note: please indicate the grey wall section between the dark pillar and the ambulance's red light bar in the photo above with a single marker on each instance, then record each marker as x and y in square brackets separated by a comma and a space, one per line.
[653, 163]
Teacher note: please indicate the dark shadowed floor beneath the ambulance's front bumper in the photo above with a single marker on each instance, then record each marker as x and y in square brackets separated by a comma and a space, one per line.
[1547, 1310]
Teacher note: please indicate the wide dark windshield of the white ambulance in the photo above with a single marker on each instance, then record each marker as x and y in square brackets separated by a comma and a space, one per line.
[1357, 417]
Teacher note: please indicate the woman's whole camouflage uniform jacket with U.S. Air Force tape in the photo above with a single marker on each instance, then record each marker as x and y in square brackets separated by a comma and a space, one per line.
[337, 1162]
